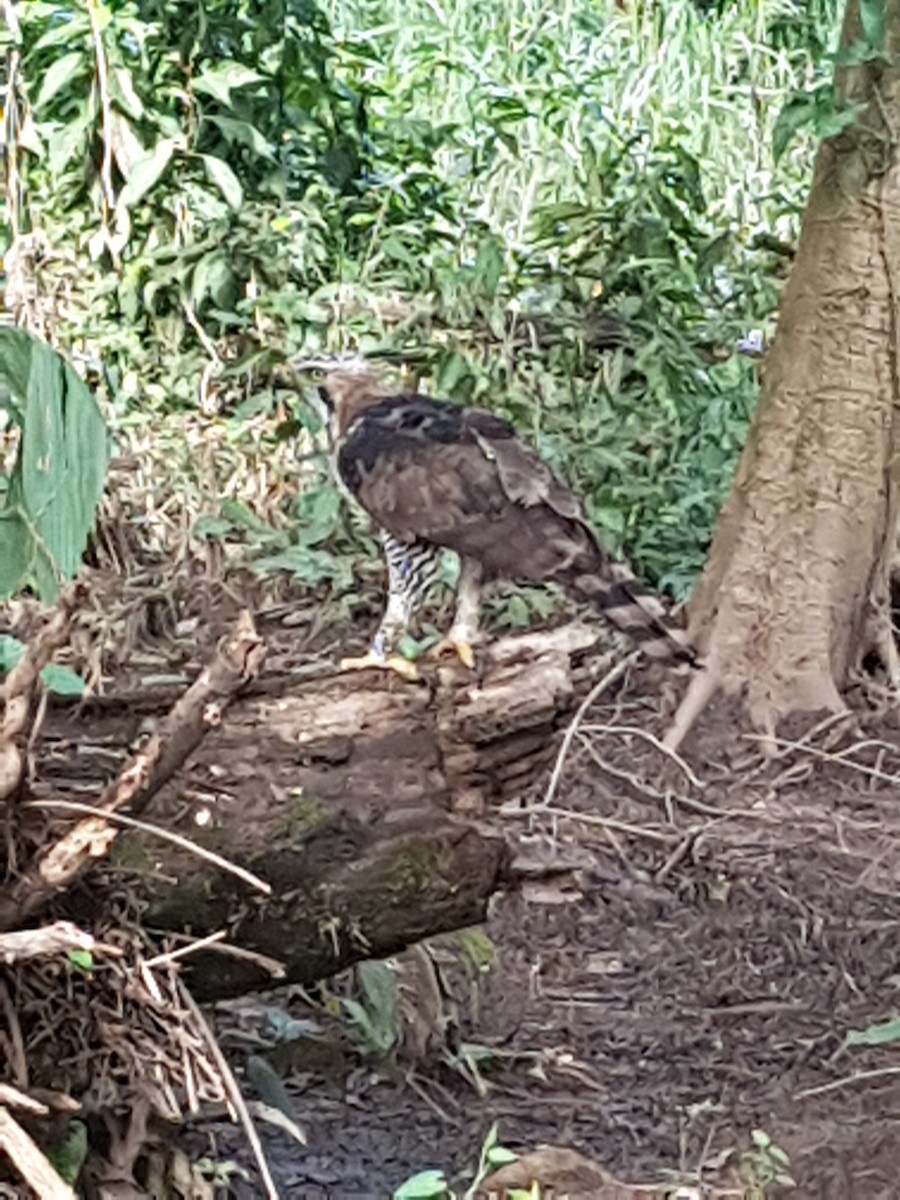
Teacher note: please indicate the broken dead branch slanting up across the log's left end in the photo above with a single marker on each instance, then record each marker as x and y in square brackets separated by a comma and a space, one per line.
[238, 659]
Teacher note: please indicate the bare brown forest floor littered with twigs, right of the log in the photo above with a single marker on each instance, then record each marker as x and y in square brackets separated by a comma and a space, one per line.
[689, 951]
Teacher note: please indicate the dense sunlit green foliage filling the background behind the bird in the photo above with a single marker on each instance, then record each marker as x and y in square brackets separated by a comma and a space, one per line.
[563, 214]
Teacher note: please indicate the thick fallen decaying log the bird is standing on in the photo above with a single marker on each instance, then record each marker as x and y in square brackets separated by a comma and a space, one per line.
[346, 794]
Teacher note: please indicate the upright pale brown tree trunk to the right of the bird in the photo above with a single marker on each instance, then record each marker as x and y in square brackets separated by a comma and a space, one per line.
[796, 591]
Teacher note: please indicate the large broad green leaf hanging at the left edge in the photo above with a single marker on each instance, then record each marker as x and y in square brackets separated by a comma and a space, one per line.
[51, 496]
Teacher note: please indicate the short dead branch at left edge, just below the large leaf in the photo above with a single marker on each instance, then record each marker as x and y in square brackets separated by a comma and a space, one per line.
[21, 692]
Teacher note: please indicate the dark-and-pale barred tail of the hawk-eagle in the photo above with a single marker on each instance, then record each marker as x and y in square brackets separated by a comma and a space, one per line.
[628, 605]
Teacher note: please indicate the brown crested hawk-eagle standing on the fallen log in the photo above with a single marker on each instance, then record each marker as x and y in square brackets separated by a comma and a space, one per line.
[435, 475]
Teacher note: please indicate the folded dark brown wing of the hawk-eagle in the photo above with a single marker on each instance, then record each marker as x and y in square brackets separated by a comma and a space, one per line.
[435, 472]
